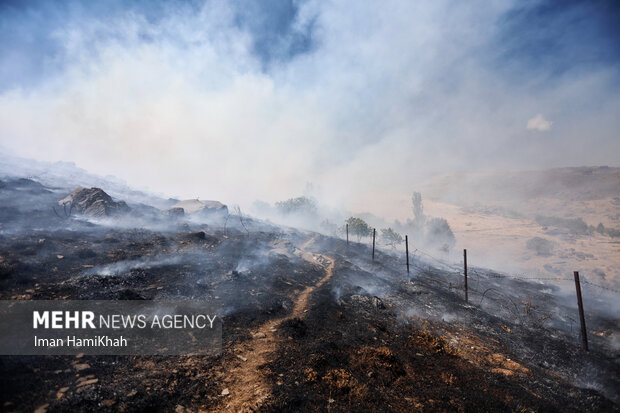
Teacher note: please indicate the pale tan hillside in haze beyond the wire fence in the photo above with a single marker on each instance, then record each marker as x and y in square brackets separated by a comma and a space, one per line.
[495, 216]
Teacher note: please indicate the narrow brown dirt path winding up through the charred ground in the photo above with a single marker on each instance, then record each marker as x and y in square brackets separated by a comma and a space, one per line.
[246, 387]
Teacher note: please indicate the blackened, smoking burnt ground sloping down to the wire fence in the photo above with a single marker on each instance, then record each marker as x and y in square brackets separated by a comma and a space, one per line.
[310, 324]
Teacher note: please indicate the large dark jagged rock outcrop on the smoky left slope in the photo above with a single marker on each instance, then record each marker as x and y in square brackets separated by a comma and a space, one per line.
[93, 202]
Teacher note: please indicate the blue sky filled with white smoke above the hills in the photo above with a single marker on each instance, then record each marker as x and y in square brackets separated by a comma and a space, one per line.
[259, 98]
